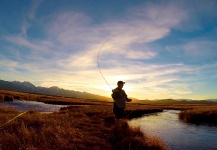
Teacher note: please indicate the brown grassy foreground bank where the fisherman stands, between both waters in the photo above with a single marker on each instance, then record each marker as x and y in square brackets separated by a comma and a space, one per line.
[91, 127]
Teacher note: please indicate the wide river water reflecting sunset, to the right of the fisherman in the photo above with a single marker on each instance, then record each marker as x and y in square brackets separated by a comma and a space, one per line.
[176, 134]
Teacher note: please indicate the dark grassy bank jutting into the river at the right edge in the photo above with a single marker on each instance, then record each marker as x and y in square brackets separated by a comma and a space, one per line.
[203, 115]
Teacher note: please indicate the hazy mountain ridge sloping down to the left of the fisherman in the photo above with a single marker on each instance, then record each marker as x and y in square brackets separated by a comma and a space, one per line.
[54, 90]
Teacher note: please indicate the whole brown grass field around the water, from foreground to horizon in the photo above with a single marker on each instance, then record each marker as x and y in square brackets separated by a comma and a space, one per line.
[86, 127]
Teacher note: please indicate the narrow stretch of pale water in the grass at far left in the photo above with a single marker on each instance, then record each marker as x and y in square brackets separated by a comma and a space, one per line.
[31, 105]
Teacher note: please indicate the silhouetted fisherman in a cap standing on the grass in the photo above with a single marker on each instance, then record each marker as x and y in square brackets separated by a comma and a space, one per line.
[120, 98]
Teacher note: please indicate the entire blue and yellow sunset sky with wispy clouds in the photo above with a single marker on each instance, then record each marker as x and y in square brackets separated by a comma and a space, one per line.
[160, 48]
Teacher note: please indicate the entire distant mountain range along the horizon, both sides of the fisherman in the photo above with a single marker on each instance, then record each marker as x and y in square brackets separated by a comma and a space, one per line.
[54, 90]
